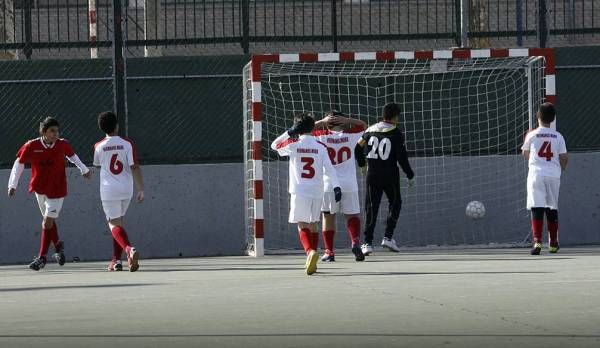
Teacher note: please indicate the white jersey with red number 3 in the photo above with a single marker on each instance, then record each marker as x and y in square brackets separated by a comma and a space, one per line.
[308, 162]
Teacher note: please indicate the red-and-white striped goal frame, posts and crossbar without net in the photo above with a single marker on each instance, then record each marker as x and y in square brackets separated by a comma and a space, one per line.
[258, 60]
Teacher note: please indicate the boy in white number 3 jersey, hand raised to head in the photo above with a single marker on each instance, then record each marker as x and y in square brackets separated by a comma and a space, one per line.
[308, 163]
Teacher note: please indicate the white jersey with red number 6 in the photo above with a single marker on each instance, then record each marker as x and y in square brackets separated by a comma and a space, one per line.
[115, 156]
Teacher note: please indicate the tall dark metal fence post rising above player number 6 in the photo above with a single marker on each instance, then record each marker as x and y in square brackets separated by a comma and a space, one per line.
[119, 67]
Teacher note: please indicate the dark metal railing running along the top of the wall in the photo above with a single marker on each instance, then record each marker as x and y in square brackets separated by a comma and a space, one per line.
[29, 25]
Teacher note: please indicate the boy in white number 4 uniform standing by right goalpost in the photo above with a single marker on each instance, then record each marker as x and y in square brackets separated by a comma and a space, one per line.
[546, 152]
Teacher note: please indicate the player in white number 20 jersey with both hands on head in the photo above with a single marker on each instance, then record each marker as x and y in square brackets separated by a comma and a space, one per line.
[340, 134]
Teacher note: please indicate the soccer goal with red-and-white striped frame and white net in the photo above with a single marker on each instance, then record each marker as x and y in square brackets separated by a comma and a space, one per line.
[465, 113]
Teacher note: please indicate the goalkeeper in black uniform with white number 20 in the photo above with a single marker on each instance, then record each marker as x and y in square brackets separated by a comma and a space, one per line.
[383, 146]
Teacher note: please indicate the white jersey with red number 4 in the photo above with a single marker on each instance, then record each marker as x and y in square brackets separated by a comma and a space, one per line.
[544, 144]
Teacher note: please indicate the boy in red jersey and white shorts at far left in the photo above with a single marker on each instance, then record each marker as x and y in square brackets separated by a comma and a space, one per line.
[48, 181]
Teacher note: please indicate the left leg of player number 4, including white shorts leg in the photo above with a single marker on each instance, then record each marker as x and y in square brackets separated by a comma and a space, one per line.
[536, 202]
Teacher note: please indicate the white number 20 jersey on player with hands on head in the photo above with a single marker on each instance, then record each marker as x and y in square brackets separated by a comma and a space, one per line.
[340, 147]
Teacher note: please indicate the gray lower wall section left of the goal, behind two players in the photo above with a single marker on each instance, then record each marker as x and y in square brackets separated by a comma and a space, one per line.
[192, 210]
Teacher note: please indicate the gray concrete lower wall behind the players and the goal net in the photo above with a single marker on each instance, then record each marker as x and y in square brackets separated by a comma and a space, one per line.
[198, 210]
